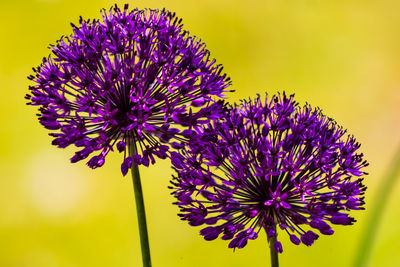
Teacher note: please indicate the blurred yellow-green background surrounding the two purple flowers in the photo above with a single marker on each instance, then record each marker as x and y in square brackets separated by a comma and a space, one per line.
[341, 55]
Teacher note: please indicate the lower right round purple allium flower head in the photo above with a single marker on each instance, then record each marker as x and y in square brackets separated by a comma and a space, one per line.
[267, 164]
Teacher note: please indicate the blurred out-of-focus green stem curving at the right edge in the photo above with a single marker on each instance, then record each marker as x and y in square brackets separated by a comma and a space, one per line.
[375, 215]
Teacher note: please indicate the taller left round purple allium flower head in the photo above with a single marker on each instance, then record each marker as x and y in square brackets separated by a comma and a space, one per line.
[127, 79]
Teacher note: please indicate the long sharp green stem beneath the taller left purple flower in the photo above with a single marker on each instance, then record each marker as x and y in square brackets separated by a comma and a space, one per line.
[137, 188]
